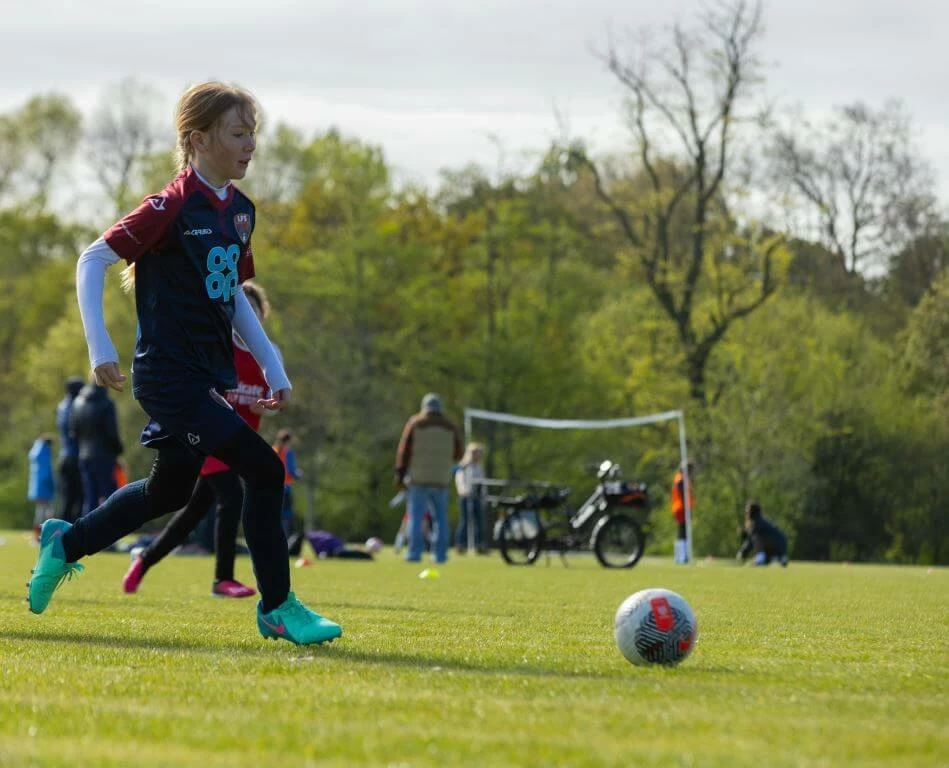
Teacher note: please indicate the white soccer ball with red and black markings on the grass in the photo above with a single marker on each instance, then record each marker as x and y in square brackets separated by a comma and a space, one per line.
[655, 626]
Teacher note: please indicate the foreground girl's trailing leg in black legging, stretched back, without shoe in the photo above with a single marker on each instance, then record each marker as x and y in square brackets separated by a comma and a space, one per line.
[167, 488]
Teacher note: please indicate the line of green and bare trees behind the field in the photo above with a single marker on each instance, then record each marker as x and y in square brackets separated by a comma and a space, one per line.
[780, 281]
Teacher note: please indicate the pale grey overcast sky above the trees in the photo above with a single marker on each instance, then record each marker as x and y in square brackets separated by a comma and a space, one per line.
[432, 80]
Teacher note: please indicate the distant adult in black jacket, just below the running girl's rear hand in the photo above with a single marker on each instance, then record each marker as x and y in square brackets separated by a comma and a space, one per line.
[94, 426]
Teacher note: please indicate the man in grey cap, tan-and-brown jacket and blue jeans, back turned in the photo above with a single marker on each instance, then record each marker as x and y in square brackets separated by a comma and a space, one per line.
[430, 446]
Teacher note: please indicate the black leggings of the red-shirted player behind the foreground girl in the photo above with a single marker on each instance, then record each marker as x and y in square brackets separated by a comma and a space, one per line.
[225, 490]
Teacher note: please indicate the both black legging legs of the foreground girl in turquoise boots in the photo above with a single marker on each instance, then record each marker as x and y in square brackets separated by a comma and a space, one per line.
[169, 487]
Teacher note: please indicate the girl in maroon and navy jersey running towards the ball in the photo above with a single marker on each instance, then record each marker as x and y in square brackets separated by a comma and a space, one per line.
[190, 245]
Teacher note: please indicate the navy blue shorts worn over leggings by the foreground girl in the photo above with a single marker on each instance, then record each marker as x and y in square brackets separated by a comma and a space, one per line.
[197, 416]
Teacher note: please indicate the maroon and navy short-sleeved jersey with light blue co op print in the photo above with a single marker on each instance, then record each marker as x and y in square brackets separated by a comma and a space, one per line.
[191, 251]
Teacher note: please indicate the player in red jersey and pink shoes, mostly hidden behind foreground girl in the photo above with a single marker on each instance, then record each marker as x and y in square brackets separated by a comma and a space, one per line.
[218, 484]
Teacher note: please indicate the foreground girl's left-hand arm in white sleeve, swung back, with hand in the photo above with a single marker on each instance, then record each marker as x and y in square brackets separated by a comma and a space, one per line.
[90, 287]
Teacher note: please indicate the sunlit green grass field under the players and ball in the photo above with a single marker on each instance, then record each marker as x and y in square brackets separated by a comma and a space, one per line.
[488, 665]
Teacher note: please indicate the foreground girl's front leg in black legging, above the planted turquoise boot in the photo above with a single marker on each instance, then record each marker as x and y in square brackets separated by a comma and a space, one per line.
[248, 454]
